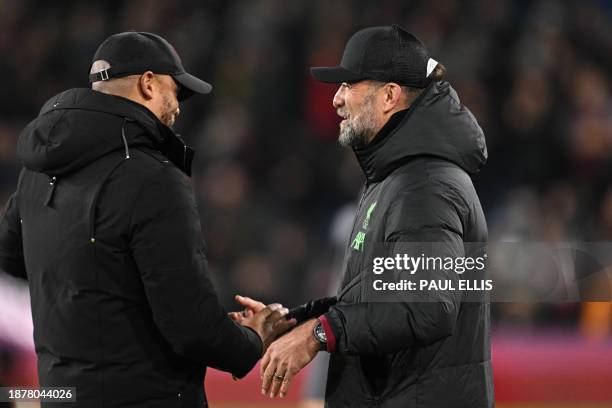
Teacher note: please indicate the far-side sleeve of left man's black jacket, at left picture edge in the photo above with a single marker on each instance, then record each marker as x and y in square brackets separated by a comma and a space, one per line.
[11, 246]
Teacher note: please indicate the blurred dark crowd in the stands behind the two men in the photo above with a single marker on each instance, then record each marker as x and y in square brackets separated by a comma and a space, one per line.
[275, 189]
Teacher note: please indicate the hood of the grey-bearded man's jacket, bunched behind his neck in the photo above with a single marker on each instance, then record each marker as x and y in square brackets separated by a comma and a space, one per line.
[436, 124]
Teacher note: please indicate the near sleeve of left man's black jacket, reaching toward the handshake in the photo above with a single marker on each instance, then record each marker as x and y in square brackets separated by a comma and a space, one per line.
[167, 245]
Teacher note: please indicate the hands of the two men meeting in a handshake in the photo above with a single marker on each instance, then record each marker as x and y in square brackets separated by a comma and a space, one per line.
[284, 354]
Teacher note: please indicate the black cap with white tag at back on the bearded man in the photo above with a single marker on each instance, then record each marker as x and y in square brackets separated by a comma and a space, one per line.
[387, 54]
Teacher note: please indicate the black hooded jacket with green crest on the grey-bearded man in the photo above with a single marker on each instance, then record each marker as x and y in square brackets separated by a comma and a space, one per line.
[433, 354]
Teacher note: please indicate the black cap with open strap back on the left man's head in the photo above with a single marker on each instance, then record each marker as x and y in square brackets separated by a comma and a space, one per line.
[134, 52]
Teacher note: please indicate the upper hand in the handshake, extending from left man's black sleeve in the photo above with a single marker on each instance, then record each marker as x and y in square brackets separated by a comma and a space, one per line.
[269, 322]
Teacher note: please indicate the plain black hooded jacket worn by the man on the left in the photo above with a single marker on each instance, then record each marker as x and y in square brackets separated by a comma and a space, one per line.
[104, 227]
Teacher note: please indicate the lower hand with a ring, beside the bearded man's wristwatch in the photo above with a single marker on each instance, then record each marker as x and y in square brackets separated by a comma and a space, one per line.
[286, 357]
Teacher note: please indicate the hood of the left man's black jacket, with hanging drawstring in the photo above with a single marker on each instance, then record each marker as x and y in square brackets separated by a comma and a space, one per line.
[78, 126]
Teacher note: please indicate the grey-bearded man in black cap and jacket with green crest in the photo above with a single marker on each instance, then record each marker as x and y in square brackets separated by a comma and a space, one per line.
[417, 146]
